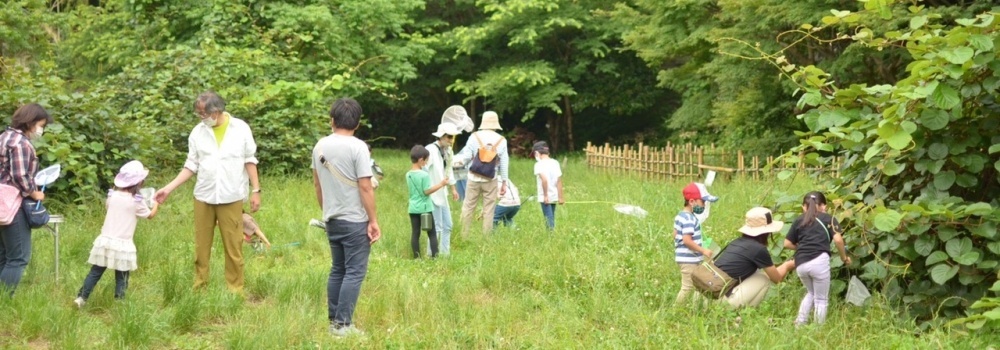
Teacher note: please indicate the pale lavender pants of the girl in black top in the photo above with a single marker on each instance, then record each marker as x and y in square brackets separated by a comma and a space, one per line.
[815, 275]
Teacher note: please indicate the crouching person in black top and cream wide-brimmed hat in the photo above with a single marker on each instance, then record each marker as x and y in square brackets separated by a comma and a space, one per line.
[747, 261]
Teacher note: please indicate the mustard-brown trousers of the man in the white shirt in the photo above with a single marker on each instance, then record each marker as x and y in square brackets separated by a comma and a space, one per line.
[229, 218]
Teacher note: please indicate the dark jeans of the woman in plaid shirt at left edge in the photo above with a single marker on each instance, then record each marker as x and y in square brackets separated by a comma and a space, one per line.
[15, 251]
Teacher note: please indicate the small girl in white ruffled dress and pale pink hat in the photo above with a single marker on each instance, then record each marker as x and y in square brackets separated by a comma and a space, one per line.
[114, 248]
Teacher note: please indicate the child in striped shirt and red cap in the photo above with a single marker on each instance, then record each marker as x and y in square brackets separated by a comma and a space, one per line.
[688, 250]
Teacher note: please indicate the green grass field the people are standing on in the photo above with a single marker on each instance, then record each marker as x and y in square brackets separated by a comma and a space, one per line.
[601, 280]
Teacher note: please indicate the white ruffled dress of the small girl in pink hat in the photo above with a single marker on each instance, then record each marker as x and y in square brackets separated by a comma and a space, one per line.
[114, 248]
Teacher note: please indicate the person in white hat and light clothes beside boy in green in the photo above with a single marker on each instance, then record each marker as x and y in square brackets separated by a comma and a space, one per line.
[439, 168]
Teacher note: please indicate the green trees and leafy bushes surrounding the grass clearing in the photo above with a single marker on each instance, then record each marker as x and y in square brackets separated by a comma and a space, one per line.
[862, 79]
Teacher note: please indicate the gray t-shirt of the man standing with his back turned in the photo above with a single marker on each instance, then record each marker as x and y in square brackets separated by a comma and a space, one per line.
[351, 161]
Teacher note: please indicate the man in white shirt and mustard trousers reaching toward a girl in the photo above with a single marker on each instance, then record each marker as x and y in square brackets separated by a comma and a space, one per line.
[221, 150]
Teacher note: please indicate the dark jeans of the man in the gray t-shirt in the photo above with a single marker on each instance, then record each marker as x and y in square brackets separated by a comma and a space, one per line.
[349, 247]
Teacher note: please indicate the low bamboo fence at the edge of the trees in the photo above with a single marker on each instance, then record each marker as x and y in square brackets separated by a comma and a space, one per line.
[690, 161]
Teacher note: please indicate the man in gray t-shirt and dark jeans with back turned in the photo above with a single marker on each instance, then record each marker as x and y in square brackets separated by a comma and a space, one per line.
[342, 177]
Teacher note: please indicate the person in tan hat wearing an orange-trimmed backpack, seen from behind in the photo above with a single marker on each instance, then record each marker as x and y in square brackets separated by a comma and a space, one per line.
[486, 154]
